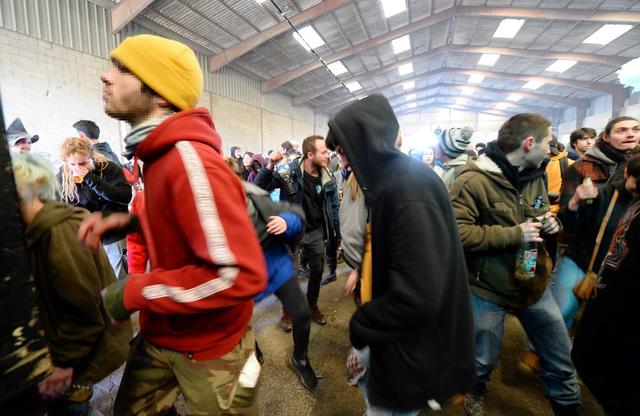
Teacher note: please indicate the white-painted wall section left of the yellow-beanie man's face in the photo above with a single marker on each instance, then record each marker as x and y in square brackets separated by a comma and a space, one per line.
[50, 88]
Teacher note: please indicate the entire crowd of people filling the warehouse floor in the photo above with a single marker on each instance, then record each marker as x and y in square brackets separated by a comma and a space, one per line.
[440, 246]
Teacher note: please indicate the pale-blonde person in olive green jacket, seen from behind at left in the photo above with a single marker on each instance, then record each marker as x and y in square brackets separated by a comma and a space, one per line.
[85, 346]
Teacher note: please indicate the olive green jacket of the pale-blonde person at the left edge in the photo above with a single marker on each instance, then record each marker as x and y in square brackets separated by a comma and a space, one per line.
[68, 280]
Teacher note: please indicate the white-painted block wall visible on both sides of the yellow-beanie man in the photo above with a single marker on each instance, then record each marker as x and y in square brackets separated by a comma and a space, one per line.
[50, 87]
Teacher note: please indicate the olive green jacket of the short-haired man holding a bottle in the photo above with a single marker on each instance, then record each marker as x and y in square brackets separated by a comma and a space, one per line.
[488, 211]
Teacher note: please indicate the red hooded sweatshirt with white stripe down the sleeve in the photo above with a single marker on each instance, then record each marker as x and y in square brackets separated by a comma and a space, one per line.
[206, 261]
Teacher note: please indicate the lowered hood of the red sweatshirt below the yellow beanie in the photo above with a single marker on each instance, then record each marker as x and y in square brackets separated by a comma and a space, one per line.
[192, 125]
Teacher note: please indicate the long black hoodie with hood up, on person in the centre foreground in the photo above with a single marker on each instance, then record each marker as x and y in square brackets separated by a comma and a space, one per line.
[418, 324]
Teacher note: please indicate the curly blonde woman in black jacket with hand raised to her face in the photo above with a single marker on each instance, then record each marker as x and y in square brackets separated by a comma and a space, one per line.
[91, 181]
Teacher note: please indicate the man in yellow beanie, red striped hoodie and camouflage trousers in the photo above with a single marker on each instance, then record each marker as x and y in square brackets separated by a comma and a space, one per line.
[196, 302]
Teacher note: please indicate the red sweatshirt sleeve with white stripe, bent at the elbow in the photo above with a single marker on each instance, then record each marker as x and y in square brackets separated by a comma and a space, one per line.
[210, 213]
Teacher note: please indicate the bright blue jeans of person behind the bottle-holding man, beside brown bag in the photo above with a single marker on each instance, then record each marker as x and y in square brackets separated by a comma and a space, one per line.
[567, 275]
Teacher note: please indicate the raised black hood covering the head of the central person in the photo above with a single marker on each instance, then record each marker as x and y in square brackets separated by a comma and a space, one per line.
[367, 131]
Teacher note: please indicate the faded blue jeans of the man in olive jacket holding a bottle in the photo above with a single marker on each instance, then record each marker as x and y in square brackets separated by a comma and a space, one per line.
[546, 330]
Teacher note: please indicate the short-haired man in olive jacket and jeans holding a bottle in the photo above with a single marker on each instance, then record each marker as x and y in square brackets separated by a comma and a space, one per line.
[502, 211]
